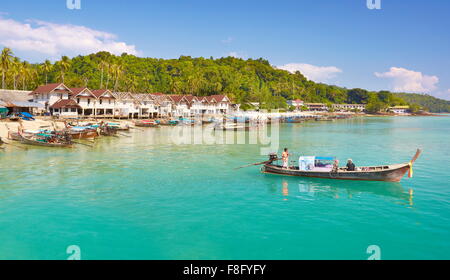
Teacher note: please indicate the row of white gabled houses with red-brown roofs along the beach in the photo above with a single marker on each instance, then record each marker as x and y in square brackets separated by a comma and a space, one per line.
[73, 102]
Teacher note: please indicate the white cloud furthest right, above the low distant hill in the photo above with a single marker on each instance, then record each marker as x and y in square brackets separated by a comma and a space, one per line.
[404, 80]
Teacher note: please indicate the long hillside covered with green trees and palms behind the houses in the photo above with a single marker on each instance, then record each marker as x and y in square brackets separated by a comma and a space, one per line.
[244, 81]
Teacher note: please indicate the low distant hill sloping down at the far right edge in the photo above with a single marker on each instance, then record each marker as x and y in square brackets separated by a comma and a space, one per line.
[426, 101]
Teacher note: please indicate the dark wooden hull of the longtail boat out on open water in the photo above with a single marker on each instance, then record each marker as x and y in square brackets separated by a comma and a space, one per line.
[392, 173]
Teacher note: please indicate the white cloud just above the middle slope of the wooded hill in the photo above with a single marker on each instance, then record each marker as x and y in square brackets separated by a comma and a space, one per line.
[315, 73]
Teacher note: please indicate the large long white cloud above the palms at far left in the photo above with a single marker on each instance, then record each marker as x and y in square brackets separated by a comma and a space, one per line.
[59, 39]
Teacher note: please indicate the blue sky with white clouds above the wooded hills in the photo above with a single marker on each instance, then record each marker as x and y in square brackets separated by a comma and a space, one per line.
[402, 47]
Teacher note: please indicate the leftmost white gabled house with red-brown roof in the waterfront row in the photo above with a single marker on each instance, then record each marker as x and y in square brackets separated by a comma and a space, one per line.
[49, 94]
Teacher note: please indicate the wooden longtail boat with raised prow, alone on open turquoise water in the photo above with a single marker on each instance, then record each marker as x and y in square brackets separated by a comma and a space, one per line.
[387, 173]
